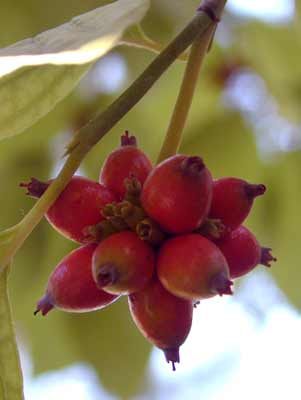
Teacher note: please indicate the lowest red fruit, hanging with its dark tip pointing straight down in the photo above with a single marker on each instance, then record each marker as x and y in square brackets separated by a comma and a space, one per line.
[165, 320]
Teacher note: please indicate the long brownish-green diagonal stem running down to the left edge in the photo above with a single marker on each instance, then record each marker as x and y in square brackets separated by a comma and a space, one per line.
[95, 129]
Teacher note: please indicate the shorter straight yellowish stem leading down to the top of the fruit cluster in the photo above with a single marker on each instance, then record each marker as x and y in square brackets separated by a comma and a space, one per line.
[179, 117]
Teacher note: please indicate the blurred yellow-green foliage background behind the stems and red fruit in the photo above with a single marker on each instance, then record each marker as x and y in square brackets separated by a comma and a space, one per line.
[245, 121]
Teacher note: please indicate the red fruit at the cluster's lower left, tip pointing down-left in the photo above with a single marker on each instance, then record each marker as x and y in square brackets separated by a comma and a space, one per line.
[71, 286]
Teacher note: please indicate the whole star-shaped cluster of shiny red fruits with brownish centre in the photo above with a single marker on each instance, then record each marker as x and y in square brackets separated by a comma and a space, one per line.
[166, 236]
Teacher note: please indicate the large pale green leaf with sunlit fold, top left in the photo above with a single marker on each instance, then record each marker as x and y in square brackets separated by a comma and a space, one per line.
[35, 74]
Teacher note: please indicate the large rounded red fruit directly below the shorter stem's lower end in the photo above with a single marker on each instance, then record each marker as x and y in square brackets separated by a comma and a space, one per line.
[177, 194]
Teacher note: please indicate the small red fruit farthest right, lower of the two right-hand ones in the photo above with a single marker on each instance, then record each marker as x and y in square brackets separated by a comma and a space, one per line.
[243, 252]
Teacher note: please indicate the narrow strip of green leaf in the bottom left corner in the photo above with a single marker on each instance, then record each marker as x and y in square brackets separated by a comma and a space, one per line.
[11, 381]
